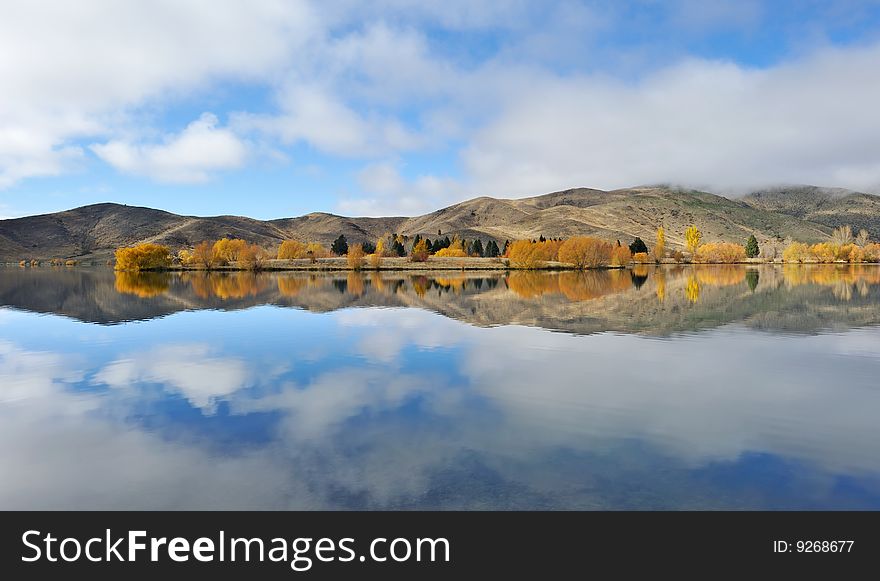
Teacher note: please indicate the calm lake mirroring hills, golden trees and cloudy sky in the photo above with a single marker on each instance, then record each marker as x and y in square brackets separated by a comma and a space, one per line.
[653, 388]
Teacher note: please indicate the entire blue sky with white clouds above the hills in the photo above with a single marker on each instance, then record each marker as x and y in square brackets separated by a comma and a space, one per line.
[272, 109]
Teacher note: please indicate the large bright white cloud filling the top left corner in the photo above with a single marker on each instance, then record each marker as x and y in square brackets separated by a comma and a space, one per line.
[75, 71]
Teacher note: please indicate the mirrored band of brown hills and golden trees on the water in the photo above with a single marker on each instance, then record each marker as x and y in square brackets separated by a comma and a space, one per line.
[645, 299]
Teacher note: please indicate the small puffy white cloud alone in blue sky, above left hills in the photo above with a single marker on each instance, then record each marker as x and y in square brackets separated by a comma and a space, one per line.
[188, 157]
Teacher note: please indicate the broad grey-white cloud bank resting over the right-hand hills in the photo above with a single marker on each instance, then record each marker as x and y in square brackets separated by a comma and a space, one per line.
[703, 123]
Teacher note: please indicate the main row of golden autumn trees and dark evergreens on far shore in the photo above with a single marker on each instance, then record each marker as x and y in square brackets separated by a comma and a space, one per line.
[578, 251]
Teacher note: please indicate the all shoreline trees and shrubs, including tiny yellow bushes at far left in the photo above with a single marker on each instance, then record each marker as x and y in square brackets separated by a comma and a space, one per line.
[398, 252]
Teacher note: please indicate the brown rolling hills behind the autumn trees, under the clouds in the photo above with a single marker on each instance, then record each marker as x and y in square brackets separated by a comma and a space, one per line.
[798, 213]
